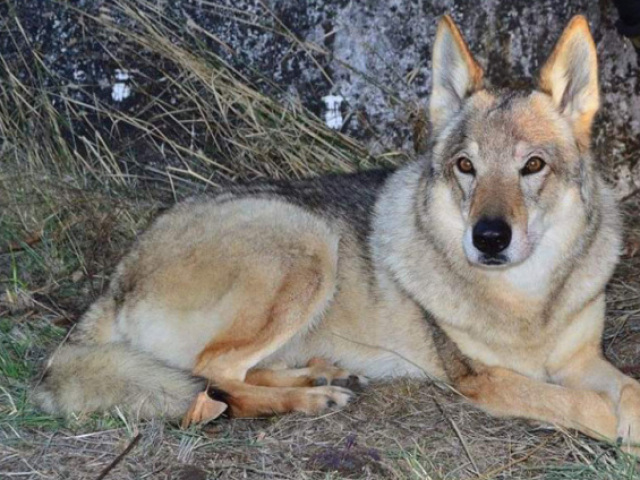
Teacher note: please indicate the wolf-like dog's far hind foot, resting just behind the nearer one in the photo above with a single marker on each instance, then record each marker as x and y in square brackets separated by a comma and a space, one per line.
[318, 372]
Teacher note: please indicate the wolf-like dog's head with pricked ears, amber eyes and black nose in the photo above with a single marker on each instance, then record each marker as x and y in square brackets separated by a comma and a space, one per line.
[512, 162]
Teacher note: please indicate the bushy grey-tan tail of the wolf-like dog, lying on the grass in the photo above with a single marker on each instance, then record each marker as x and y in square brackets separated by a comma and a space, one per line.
[99, 377]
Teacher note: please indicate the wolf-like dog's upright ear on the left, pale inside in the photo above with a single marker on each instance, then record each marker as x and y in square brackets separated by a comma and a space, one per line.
[456, 74]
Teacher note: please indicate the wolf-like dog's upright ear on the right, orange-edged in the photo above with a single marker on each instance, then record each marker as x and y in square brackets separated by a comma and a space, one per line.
[570, 76]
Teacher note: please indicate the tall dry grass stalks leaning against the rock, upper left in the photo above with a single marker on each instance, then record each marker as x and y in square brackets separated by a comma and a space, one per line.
[195, 121]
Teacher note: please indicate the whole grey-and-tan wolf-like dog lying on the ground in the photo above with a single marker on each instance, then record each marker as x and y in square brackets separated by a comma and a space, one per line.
[482, 264]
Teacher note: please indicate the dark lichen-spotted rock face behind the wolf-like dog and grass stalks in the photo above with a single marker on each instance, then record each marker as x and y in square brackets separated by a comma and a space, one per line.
[375, 55]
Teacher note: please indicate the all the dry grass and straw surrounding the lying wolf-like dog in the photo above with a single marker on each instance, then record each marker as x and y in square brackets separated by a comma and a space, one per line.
[80, 176]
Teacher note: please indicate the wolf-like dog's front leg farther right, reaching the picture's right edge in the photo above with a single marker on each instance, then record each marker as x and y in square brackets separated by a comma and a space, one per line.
[589, 370]
